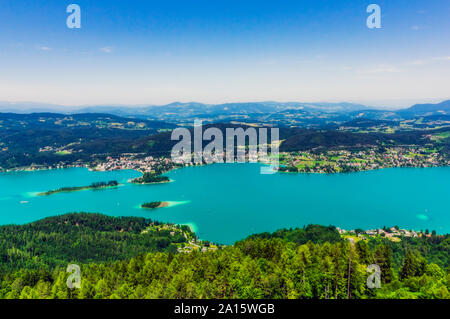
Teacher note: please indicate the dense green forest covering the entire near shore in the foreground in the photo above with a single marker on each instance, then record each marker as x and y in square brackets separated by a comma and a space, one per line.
[120, 258]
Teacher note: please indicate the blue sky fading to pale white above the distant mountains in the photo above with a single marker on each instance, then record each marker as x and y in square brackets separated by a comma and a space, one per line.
[217, 51]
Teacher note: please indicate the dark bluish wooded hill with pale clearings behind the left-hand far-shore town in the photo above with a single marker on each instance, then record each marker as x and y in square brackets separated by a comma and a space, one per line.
[50, 138]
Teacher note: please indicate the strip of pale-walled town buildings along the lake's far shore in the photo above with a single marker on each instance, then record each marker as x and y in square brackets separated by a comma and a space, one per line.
[312, 161]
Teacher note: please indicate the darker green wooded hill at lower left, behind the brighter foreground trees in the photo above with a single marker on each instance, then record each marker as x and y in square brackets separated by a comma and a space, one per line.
[83, 238]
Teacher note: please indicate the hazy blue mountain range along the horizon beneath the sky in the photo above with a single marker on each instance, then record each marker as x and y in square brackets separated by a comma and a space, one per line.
[270, 112]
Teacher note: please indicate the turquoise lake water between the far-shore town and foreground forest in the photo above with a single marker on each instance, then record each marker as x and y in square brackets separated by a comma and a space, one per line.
[227, 202]
